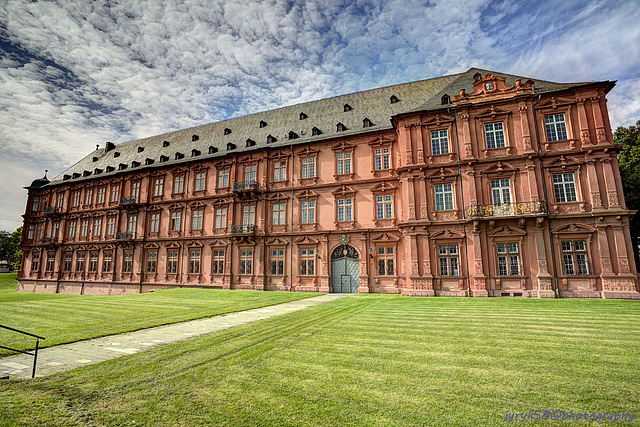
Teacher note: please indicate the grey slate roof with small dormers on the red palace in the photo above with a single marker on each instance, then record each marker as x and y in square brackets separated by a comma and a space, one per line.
[324, 114]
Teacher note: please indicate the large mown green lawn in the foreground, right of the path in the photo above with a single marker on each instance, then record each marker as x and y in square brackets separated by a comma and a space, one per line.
[370, 360]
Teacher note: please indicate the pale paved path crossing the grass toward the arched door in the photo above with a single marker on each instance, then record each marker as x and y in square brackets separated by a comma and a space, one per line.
[69, 356]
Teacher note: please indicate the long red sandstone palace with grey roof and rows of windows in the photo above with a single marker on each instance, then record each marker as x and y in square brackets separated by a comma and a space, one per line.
[473, 184]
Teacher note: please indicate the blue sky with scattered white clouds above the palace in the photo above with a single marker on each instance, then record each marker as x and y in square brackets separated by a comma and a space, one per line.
[74, 74]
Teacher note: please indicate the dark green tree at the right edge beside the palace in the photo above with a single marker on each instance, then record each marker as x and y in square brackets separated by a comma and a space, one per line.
[629, 162]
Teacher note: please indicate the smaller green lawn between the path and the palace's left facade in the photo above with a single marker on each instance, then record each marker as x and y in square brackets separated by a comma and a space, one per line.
[67, 318]
